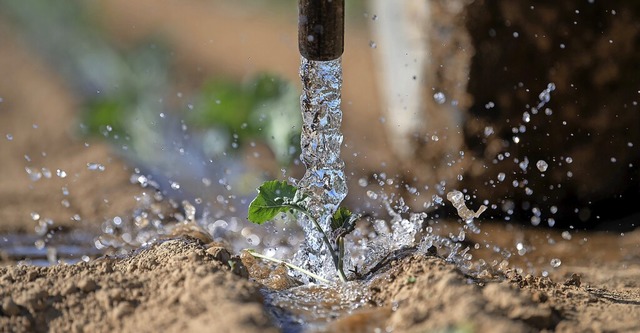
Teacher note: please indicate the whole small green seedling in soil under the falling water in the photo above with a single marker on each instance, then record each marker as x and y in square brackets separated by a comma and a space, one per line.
[278, 197]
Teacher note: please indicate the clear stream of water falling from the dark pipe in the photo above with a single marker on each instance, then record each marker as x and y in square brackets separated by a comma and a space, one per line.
[324, 180]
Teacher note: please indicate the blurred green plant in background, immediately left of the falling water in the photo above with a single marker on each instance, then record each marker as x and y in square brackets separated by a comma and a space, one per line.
[265, 108]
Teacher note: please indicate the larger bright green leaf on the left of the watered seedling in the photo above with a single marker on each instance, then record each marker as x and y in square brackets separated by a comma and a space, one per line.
[274, 197]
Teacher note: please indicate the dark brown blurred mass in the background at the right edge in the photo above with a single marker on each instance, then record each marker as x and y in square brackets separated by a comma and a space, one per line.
[590, 135]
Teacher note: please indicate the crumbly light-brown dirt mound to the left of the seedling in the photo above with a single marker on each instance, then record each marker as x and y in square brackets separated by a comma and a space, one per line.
[171, 286]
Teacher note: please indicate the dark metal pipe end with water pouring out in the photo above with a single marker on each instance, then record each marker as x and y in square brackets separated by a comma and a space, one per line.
[321, 29]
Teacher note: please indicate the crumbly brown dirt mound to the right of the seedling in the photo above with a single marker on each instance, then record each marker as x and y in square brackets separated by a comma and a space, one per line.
[429, 294]
